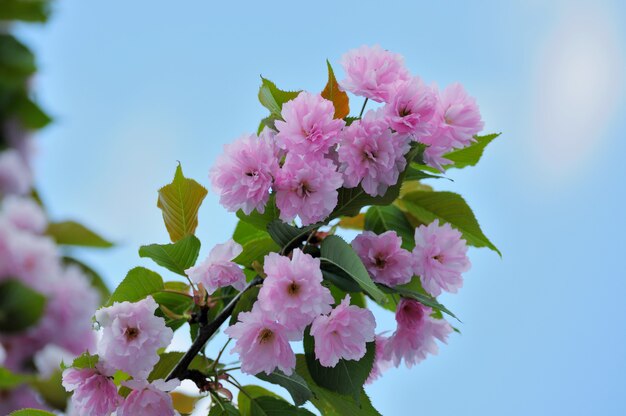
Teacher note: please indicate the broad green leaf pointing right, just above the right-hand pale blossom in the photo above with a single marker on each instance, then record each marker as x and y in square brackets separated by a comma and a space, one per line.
[447, 207]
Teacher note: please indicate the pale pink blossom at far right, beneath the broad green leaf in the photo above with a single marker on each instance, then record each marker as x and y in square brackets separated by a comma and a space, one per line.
[440, 257]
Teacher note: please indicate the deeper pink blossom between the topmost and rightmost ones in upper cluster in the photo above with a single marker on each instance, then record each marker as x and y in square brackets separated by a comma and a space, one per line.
[410, 107]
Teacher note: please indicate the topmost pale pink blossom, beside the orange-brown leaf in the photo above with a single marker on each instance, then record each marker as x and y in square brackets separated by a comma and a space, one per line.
[371, 71]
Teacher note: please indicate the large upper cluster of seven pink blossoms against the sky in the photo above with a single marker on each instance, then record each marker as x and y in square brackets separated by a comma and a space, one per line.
[311, 154]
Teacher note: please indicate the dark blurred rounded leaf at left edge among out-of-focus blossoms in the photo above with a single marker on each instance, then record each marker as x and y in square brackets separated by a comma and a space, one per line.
[20, 306]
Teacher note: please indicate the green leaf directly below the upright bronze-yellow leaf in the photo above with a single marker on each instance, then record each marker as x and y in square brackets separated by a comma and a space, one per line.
[176, 257]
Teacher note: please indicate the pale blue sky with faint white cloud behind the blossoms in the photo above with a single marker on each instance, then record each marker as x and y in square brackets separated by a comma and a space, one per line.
[137, 86]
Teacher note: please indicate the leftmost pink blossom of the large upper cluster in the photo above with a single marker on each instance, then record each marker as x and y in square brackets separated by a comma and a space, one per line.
[243, 175]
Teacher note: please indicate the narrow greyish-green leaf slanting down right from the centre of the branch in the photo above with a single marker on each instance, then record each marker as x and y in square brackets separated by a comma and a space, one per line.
[341, 255]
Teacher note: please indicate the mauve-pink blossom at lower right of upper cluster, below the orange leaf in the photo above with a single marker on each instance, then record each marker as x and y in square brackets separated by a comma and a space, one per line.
[371, 154]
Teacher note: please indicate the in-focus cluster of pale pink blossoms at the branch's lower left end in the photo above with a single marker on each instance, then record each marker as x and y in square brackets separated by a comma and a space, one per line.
[131, 336]
